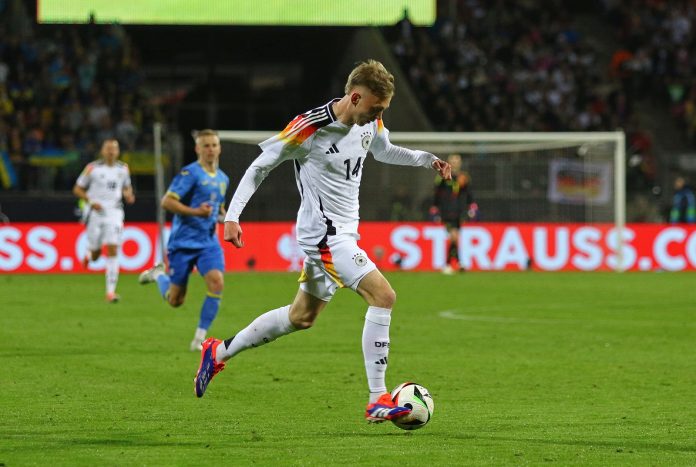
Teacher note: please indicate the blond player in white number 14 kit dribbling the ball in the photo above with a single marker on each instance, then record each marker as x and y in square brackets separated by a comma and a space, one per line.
[328, 147]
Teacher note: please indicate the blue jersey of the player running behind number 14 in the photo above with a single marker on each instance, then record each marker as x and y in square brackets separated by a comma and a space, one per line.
[194, 186]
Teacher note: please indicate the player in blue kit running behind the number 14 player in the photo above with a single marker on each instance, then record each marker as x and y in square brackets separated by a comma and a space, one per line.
[196, 196]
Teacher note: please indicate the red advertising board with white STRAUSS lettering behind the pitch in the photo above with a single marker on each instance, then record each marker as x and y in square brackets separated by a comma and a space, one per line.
[56, 247]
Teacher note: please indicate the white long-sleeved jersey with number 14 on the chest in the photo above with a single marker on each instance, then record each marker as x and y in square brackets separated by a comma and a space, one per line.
[329, 157]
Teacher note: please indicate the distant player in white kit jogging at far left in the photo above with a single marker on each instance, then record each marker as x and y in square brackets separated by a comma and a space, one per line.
[102, 185]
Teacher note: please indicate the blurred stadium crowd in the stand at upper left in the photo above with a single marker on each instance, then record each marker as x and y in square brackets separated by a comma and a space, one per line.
[63, 90]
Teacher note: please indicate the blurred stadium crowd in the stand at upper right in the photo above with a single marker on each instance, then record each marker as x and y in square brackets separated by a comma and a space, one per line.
[523, 66]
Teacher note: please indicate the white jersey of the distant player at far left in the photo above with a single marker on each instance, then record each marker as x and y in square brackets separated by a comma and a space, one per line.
[104, 185]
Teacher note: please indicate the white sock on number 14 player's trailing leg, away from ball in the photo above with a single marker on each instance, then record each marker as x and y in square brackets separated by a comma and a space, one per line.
[264, 329]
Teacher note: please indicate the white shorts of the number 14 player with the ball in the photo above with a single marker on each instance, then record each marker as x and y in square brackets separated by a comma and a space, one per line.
[339, 263]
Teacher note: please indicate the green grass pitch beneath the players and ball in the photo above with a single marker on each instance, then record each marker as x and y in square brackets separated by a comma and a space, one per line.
[524, 368]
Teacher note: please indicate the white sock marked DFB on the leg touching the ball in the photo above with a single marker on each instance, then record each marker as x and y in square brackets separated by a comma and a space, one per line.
[376, 349]
